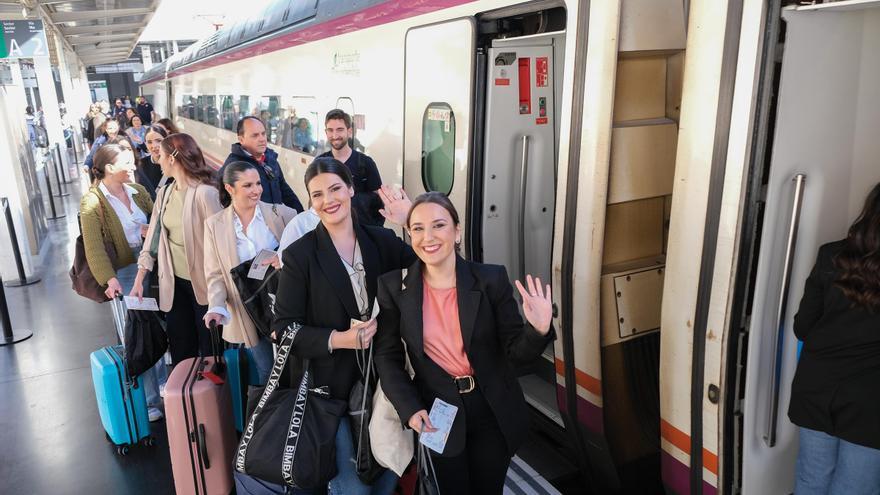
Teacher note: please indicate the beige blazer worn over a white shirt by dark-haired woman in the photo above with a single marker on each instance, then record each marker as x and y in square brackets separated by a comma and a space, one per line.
[221, 256]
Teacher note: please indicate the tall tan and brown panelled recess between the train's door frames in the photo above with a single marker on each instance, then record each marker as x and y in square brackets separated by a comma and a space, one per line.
[644, 137]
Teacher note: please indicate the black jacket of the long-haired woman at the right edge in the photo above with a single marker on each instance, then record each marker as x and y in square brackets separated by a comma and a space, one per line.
[835, 387]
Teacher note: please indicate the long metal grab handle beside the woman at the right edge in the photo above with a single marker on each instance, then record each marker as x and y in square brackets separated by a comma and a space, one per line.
[781, 309]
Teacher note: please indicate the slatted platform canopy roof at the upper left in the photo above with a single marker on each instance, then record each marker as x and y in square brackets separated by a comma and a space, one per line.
[99, 31]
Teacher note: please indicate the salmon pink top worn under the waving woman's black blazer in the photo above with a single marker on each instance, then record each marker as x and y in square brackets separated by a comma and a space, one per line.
[442, 330]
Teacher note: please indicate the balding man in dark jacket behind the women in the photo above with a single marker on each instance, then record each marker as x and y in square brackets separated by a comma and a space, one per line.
[252, 147]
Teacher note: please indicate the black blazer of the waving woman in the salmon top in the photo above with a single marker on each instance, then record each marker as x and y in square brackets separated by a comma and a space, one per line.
[494, 336]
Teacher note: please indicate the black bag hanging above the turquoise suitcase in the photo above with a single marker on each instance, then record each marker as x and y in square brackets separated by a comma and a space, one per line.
[145, 341]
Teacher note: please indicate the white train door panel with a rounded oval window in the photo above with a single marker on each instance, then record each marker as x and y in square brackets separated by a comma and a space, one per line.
[438, 91]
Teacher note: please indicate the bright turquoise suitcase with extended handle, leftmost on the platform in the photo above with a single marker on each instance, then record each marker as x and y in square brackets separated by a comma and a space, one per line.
[122, 404]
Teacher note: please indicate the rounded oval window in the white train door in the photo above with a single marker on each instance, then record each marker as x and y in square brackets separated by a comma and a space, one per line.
[438, 147]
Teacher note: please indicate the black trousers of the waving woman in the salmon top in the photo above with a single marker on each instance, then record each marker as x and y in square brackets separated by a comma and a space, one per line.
[481, 468]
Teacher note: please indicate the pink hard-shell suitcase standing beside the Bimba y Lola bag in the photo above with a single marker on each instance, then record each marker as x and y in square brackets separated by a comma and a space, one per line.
[201, 434]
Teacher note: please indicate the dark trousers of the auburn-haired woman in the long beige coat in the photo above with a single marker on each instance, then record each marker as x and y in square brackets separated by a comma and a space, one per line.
[187, 335]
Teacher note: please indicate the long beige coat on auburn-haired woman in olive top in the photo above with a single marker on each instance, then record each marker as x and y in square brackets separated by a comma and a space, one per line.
[201, 201]
